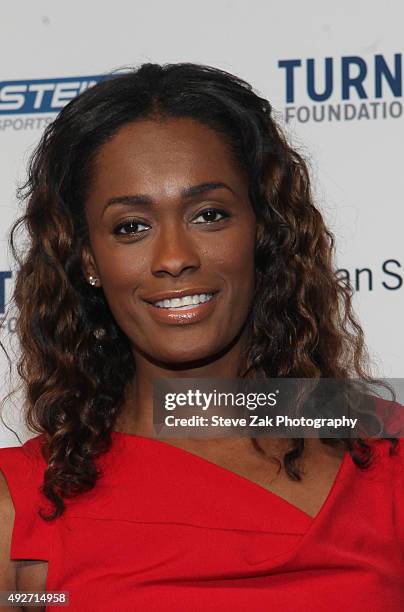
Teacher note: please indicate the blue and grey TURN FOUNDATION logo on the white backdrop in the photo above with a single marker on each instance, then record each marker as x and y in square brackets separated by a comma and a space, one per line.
[347, 88]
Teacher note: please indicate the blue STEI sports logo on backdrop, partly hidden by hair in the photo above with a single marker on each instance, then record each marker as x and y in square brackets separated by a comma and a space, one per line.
[28, 105]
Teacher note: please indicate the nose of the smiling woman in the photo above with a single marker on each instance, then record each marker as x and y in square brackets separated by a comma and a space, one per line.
[174, 252]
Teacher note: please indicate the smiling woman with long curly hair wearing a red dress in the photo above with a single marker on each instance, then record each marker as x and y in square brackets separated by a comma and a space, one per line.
[169, 182]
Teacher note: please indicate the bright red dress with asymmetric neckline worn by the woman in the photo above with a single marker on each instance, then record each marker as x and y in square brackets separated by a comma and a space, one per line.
[165, 530]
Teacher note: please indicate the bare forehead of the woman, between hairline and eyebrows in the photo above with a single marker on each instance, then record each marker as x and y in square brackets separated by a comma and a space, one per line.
[164, 156]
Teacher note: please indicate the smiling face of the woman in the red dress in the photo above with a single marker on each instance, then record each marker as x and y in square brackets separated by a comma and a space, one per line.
[160, 229]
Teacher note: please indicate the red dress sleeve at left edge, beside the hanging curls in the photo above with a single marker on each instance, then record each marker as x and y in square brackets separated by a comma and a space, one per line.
[23, 468]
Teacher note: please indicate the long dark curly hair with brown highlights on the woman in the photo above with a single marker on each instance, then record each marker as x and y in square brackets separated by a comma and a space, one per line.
[74, 379]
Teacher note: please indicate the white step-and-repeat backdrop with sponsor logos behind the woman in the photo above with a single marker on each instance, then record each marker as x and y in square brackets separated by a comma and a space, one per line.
[332, 71]
